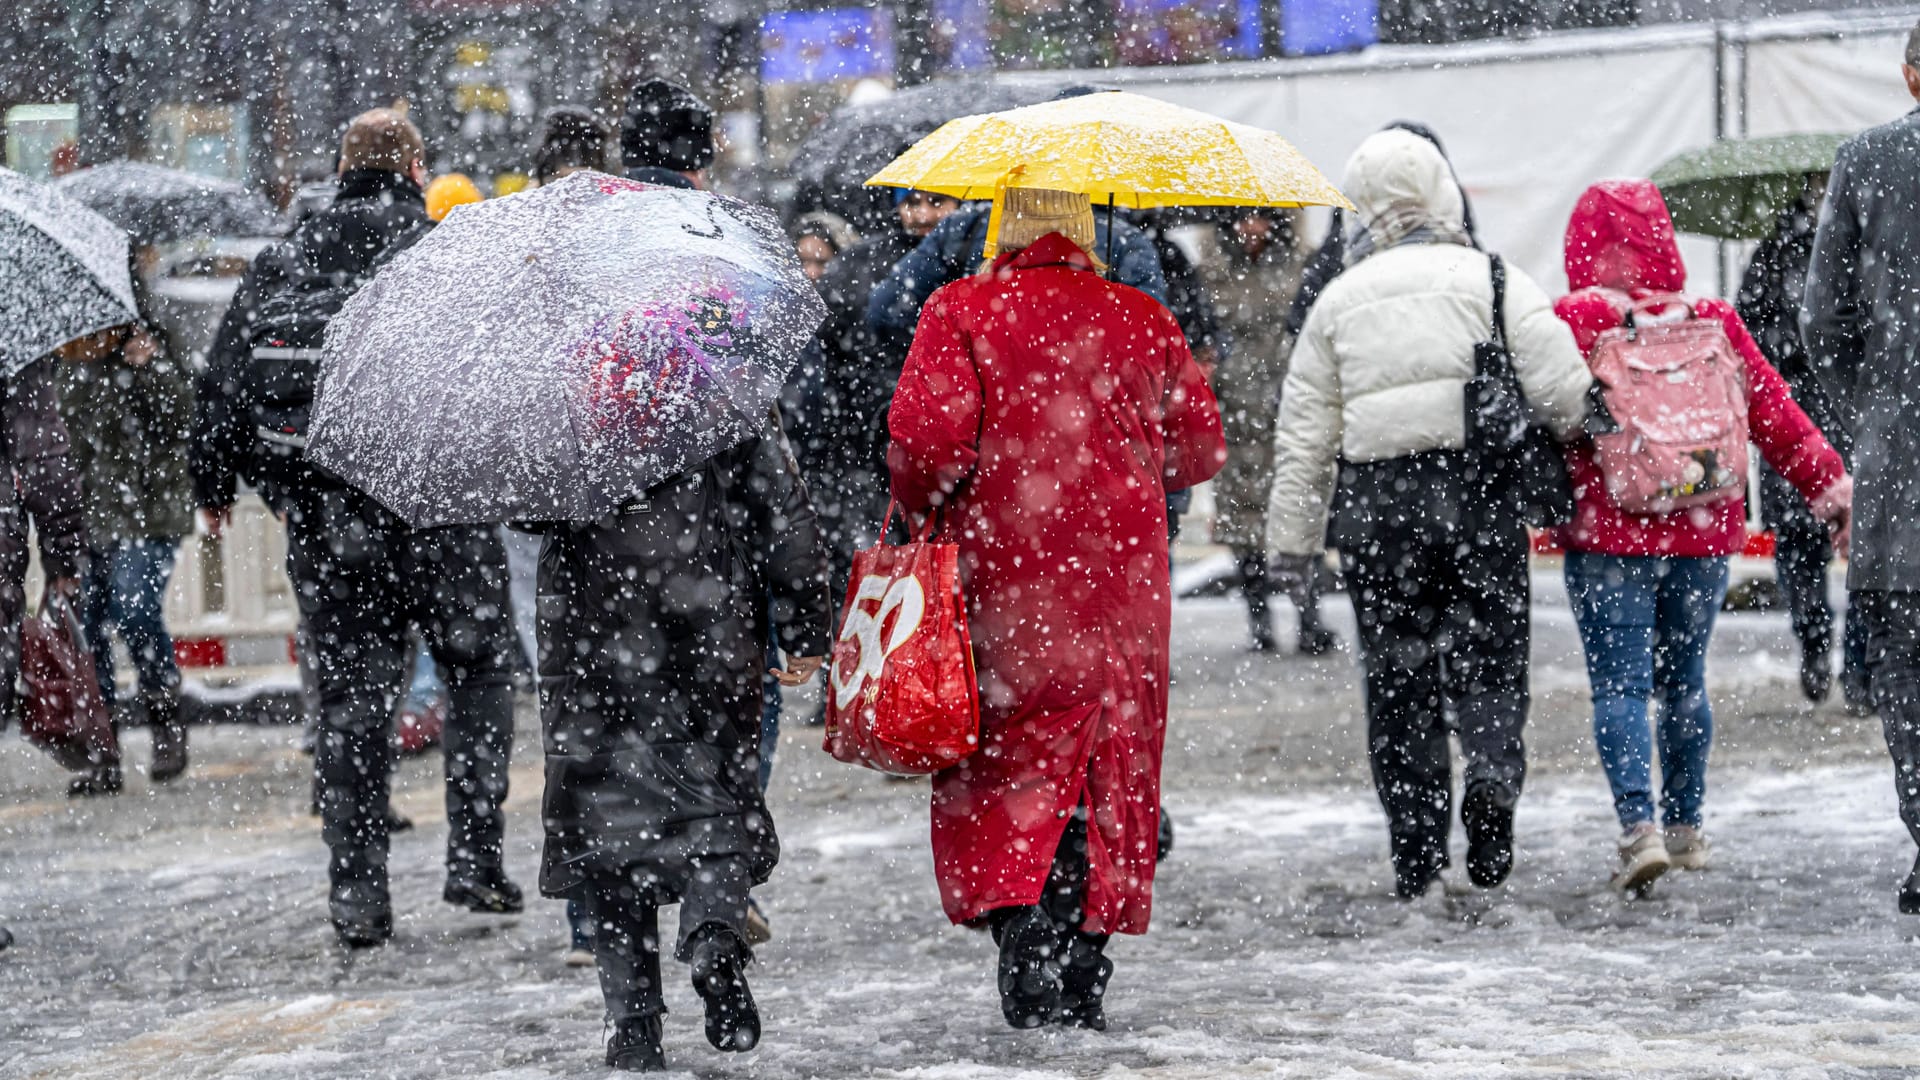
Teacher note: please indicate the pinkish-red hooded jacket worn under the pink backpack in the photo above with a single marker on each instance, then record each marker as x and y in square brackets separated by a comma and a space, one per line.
[1621, 241]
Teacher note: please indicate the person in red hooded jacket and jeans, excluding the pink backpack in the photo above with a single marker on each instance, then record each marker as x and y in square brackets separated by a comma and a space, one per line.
[1648, 585]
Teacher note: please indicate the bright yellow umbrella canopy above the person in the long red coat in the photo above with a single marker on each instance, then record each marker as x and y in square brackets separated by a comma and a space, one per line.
[1128, 149]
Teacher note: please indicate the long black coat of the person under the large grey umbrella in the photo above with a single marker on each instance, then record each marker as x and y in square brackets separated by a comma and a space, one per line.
[654, 631]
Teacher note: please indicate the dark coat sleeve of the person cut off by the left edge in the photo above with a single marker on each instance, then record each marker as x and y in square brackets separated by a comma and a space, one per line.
[49, 485]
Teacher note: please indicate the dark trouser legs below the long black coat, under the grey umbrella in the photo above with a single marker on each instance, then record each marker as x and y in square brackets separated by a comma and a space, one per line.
[625, 920]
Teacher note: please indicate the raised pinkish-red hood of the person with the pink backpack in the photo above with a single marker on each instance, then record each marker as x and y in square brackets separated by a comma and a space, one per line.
[1621, 237]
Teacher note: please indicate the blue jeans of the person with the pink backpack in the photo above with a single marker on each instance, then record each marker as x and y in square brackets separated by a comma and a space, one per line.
[1646, 624]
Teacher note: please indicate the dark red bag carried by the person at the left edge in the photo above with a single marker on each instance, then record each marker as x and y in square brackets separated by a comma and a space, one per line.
[62, 712]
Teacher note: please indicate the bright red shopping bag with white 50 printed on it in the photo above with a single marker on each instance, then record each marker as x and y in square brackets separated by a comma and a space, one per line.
[901, 693]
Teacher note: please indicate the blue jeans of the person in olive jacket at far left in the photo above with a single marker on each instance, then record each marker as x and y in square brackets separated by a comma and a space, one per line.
[126, 589]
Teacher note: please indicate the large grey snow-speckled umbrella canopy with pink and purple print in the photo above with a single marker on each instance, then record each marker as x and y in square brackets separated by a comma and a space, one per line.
[552, 355]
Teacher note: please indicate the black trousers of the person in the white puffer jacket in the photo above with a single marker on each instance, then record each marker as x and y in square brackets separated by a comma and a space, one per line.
[1445, 647]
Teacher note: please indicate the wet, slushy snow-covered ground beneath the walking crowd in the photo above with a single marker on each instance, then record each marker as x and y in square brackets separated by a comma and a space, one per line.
[183, 933]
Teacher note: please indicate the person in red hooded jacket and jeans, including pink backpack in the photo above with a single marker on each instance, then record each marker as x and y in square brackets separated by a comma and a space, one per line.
[1662, 504]
